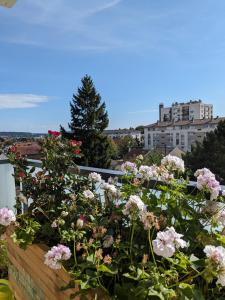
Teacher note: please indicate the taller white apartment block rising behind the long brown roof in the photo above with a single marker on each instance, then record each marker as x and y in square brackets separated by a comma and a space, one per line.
[191, 110]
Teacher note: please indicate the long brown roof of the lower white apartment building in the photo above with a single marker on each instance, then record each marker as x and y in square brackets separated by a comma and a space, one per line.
[183, 123]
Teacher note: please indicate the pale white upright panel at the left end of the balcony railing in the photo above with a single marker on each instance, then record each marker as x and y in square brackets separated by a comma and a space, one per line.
[7, 186]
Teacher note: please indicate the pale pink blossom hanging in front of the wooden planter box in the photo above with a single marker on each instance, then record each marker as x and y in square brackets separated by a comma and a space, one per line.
[55, 256]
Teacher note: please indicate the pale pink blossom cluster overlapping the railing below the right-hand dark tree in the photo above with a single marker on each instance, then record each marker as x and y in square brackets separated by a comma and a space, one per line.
[206, 181]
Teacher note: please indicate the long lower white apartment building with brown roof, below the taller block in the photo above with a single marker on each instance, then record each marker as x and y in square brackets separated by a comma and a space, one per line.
[182, 134]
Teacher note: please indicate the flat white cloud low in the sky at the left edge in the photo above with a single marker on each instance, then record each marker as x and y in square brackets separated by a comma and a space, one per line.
[8, 101]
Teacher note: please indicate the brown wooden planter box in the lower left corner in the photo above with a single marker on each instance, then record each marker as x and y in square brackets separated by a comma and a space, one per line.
[31, 279]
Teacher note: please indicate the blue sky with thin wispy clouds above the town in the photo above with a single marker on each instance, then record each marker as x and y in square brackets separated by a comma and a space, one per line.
[138, 52]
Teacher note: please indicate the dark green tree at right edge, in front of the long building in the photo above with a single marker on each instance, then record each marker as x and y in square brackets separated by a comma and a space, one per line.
[210, 153]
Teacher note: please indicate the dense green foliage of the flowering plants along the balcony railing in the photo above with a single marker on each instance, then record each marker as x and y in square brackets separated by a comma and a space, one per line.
[112, 249]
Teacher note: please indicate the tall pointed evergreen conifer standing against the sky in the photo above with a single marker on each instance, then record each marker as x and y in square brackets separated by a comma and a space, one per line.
[89, 118]
